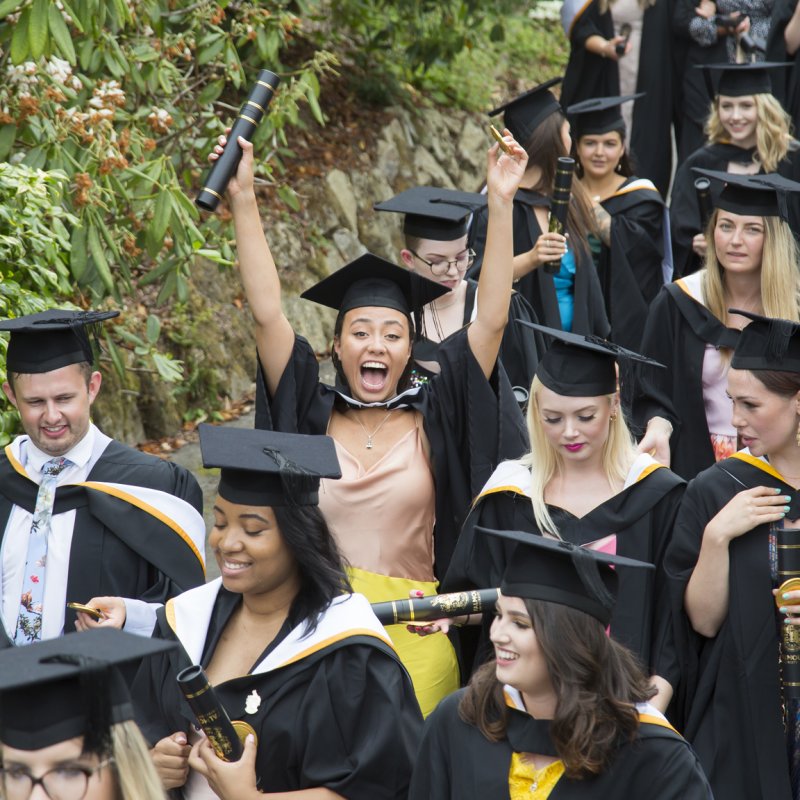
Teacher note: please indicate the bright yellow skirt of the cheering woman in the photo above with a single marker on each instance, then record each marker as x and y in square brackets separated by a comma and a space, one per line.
[430, 660]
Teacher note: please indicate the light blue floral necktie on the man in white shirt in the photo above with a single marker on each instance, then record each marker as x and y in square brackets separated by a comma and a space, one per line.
[29, 621]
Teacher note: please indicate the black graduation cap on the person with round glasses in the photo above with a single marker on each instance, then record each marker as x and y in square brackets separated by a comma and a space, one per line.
[431, 213]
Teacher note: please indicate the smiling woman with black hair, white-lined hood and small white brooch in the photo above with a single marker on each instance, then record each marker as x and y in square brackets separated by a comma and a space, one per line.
[287, 647]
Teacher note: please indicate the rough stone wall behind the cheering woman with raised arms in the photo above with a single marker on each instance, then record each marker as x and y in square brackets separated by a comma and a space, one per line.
[335, 224]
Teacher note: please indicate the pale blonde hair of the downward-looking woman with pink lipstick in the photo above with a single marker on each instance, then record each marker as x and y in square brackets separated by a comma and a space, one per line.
[545, 461]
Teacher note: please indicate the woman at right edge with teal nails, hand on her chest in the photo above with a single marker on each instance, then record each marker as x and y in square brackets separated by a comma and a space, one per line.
[724, 563]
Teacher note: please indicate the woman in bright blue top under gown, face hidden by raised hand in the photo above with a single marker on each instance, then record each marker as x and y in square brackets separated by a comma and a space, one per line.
[571, 298]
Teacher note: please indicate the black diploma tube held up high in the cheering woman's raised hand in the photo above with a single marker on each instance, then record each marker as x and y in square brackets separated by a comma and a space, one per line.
[255, 107]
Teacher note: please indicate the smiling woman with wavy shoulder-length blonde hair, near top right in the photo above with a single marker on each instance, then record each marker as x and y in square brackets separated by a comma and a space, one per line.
[747, 132]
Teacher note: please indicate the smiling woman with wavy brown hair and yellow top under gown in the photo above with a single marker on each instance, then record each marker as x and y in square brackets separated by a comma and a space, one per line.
[562, 710]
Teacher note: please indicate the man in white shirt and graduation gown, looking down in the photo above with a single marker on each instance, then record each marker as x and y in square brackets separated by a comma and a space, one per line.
[123, 523]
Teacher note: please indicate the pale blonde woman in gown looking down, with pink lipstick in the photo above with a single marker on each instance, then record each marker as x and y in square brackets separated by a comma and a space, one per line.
[582, 482]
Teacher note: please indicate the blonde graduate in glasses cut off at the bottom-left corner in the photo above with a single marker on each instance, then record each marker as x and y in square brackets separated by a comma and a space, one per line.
[66, 720]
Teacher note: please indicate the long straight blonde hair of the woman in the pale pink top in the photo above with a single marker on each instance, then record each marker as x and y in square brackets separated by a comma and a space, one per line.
[780, 273]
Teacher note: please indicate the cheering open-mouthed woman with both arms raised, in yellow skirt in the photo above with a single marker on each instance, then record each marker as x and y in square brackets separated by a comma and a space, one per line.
[412, 457]
